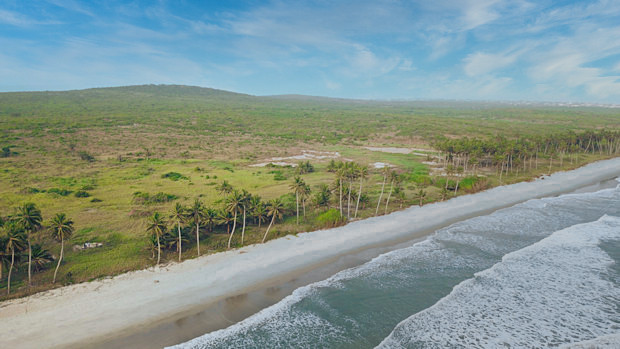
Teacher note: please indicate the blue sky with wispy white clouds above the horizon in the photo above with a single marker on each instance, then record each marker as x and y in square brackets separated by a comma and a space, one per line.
[429, 49]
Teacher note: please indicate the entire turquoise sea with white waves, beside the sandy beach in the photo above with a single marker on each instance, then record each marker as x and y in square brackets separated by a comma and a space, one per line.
[539, 274]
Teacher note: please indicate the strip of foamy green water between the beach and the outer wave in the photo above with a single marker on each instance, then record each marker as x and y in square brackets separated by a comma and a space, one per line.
[360, 306]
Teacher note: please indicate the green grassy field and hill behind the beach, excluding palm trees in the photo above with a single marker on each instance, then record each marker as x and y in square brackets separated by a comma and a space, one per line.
[113, 143]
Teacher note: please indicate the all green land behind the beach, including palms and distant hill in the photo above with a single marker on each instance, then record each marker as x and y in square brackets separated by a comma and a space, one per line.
[191, 155]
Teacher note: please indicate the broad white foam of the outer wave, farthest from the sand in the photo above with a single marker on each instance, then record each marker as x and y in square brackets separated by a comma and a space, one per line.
[557, 291]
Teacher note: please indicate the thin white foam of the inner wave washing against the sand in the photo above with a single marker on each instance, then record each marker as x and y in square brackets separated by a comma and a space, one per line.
[487, 233]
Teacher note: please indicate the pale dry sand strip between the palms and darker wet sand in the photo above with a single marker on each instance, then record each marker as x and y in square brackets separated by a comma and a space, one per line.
[80, 312]
